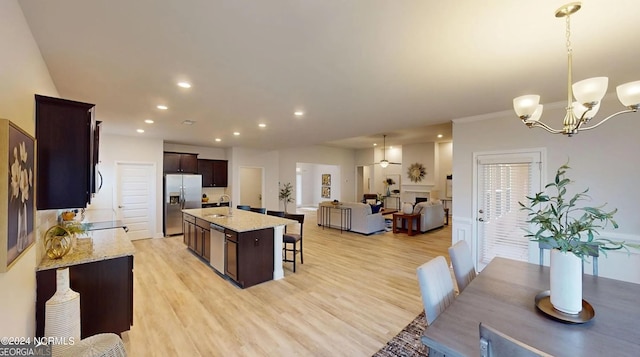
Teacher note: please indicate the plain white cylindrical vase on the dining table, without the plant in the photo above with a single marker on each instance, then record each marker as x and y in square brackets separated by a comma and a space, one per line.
[566, 282]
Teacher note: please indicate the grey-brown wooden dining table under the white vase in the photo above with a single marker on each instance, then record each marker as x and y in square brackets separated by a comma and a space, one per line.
[503, 296]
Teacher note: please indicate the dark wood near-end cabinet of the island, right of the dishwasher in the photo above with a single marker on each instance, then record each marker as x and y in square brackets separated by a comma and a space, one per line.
[249, 256]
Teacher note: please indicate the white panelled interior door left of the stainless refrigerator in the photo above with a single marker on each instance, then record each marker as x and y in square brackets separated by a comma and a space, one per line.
[135, 198]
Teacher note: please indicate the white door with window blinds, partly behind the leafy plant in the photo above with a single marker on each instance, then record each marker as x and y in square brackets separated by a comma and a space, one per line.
[501, 181]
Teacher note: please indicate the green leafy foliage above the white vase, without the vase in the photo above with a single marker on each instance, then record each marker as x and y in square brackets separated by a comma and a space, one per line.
[564, 226]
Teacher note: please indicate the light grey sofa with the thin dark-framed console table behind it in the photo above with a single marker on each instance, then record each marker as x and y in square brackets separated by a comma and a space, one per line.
[362, 219]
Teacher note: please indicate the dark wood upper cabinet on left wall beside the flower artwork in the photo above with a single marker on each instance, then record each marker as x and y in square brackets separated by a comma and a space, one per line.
[66, 153]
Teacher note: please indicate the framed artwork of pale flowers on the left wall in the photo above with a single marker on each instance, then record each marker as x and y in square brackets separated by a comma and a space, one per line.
[16, 193]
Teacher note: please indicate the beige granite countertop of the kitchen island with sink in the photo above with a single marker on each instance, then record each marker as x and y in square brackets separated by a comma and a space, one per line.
[240, 220]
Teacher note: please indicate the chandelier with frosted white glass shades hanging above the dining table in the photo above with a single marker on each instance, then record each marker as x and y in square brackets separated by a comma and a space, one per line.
[588, 94]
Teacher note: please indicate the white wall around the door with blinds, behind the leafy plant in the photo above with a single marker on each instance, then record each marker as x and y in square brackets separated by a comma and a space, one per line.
[603, 160]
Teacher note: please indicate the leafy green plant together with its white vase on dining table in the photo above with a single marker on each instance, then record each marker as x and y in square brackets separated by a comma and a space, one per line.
[570, 231]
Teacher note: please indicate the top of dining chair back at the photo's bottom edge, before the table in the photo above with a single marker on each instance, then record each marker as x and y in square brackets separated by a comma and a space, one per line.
[494, 343]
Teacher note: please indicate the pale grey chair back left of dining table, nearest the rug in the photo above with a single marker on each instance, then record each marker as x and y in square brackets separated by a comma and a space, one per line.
[436, 287]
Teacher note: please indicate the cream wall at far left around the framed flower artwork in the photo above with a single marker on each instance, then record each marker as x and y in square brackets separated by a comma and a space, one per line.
[22, 74]
